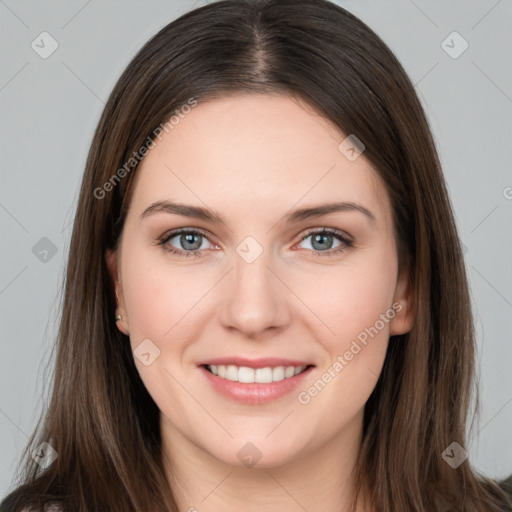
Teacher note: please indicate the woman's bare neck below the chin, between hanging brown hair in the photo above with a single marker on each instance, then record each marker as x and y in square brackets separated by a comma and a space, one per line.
[323, 475]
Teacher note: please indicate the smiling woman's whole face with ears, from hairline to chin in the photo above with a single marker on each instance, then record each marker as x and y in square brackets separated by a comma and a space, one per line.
[264, 288]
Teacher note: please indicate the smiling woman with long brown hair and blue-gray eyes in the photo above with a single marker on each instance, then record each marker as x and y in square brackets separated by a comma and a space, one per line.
[266, 304]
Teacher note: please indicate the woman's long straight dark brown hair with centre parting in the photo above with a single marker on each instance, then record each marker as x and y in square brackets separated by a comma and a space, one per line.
[101, 420]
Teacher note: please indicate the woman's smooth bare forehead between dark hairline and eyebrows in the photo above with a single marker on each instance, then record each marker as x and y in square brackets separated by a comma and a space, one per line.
[255, 153]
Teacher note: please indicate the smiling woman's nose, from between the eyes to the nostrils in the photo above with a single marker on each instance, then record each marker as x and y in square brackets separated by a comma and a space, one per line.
[256, 298]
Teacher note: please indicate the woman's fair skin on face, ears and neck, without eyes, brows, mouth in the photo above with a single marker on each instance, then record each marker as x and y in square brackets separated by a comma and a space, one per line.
[252, 159]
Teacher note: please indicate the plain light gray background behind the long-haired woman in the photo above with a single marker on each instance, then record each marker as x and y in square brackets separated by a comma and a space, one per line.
[50, 107]
